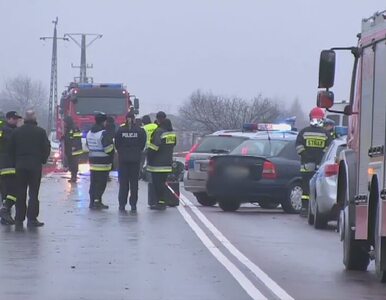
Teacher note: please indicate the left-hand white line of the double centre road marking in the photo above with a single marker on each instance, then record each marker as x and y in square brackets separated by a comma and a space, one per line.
[245, 283]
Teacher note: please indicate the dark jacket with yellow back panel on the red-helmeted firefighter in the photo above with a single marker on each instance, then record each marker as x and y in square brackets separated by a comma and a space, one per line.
[311, 144]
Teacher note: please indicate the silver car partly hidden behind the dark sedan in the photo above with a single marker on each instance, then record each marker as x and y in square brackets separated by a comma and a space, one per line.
[197, 161]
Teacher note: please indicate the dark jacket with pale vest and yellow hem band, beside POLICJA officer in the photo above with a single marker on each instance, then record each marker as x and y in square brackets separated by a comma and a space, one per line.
[100, 146]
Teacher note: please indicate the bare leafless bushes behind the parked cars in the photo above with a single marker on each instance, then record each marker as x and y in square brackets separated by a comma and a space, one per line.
[206, 112]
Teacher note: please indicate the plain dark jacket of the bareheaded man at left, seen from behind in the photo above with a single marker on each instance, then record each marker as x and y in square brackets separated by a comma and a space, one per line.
[29, 146]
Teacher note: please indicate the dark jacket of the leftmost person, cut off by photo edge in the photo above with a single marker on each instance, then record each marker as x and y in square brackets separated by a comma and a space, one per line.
[6, 164]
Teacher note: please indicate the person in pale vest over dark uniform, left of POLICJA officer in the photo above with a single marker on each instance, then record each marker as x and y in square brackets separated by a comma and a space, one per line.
[100, 145]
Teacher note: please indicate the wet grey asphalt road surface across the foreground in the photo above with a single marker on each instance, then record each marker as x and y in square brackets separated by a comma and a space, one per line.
[83, 254]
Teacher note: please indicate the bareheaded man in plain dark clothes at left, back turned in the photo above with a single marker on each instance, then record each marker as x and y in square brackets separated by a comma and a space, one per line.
[29, 149]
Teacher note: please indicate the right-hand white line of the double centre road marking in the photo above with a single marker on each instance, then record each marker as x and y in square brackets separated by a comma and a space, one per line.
[260, 274]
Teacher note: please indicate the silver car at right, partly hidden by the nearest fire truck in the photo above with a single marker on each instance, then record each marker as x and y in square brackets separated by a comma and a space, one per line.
[323, 206]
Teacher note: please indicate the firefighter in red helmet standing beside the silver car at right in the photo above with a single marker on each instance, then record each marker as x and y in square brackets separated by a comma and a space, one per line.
[311, 144]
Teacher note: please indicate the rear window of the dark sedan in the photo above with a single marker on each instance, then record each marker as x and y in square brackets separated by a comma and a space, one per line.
[265, 148]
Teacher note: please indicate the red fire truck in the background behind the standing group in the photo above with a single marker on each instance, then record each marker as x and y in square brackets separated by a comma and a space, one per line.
[81, 101]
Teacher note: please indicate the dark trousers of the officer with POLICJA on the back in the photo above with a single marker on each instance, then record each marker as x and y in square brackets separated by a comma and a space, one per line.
[128, 180]
